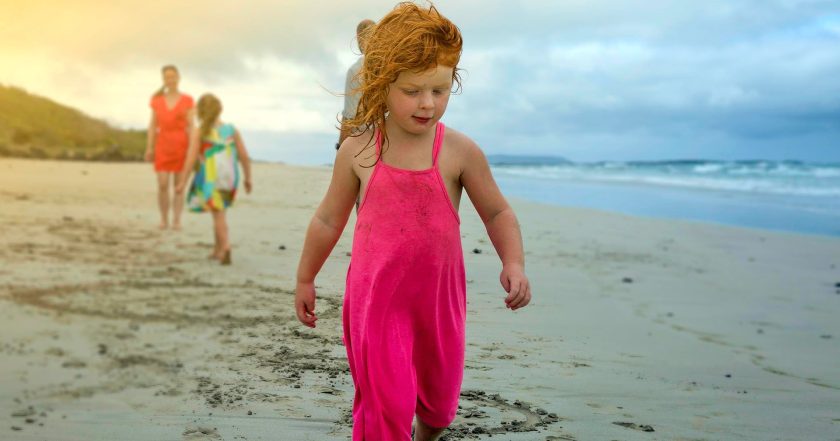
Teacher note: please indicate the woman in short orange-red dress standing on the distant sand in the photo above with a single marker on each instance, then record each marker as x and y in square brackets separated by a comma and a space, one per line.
[173, 114]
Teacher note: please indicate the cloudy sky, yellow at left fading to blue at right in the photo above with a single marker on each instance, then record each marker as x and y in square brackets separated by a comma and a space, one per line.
[587, 80]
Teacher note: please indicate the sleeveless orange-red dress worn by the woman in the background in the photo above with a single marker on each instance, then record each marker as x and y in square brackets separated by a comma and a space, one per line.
[172, 138]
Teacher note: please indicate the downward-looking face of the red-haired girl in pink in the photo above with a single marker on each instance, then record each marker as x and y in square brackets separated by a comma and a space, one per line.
[417, 100]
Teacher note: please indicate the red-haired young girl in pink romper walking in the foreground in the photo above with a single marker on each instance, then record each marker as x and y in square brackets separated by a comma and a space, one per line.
[405, 301]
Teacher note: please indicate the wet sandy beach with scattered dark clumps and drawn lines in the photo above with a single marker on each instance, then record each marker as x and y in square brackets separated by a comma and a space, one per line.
[640, 329]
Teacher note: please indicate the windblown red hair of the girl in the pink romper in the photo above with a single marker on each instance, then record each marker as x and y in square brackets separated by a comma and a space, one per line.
[409, 38]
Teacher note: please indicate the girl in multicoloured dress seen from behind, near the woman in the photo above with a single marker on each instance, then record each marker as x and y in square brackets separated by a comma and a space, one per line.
[221, 150]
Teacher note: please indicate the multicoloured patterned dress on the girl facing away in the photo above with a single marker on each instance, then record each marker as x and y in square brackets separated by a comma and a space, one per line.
[217, 173]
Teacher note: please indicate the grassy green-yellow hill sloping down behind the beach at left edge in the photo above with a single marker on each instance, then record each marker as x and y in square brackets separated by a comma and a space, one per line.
[35, 127]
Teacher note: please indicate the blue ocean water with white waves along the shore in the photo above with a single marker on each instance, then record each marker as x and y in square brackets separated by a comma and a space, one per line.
[776, 195]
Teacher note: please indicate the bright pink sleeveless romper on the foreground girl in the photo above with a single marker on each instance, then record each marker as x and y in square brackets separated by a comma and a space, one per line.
[405, 303]
